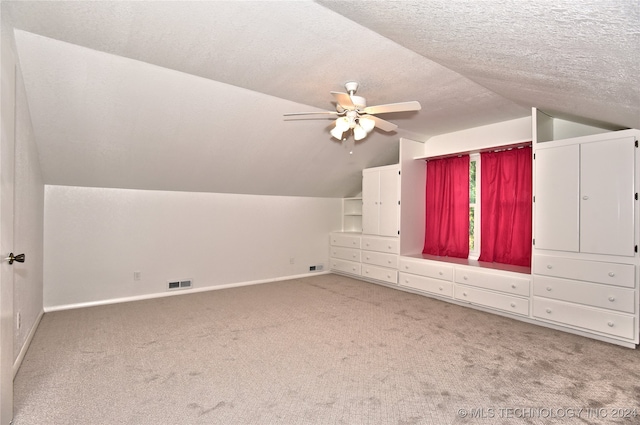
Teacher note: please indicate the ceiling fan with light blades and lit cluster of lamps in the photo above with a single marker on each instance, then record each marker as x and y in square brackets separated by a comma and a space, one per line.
[354, 114]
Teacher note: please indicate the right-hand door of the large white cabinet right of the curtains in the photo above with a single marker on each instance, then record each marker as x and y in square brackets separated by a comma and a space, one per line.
[607, 197]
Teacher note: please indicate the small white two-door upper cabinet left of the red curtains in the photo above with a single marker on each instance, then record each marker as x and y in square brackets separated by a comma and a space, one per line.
[381, 200]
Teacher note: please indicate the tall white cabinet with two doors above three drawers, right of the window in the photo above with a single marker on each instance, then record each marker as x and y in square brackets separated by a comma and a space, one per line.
[585, 260]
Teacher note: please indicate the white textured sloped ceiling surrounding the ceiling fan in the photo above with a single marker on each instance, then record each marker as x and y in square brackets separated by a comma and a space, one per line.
[190, 96]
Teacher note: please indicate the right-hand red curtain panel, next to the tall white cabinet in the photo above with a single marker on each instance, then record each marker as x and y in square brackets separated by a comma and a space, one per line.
[505, 202]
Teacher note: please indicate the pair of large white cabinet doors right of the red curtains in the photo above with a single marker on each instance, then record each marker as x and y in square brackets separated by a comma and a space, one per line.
[585, 195]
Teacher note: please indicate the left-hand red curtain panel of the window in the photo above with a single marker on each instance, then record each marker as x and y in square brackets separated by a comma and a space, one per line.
[447, 207]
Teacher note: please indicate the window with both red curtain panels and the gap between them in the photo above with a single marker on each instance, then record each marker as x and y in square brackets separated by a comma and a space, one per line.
[490, 194]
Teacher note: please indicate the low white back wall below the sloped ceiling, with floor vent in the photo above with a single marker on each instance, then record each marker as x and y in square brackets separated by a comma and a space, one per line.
[96, 238]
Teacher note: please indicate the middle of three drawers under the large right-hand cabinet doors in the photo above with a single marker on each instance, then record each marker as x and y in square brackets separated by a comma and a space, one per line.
[593, 294]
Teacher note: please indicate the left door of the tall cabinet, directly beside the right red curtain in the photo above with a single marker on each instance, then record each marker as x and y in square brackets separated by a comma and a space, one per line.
[556, 208]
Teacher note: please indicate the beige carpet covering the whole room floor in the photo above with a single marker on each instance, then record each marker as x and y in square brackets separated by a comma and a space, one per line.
[320, 350]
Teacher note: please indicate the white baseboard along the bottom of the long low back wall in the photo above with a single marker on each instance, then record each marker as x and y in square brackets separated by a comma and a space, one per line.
[174, 293]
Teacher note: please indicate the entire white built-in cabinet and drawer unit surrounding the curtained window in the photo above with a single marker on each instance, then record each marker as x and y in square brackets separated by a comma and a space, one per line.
[585, 273]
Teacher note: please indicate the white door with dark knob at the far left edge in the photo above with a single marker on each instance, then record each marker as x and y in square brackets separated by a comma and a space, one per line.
[7, 137]
